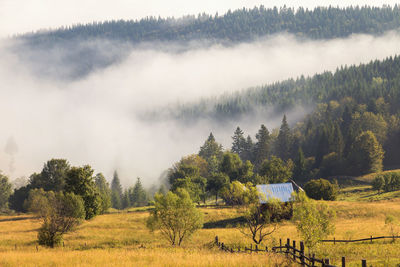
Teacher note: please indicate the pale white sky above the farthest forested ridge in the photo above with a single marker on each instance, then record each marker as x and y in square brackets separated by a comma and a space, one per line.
[19, 16]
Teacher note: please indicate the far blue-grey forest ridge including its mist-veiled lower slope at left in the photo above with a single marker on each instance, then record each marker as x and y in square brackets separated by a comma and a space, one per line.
[74, 51]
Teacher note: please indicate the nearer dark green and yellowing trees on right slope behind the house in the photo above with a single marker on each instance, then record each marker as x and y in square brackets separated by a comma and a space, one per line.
[337, 139]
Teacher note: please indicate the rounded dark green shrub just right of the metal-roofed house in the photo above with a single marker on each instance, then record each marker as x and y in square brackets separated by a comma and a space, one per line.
[321, 189]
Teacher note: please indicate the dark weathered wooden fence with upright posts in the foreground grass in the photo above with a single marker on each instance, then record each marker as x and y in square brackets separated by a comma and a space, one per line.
[298, 255]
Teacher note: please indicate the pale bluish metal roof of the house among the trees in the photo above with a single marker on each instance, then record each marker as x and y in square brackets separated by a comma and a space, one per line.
[283, 192]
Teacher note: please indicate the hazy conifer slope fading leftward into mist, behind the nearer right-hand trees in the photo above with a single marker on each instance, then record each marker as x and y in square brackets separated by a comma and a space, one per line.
[363, 84]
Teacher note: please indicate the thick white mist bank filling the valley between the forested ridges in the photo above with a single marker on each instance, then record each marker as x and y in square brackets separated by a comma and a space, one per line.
[95, 120]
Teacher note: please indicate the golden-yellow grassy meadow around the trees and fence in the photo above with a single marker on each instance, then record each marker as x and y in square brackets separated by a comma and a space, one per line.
[121, 239]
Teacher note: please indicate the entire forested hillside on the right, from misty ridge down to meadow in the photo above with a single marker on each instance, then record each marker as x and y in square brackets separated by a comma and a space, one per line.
[354, 129]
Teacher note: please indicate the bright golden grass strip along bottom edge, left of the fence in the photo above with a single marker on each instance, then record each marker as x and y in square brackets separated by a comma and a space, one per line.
[138, 257]
